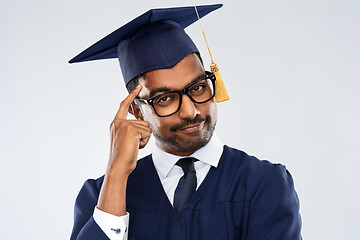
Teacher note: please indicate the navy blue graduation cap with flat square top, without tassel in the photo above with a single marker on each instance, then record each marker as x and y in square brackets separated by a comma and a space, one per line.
[154, 40]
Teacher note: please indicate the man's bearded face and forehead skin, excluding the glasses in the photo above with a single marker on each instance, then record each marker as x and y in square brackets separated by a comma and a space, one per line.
[193, 125]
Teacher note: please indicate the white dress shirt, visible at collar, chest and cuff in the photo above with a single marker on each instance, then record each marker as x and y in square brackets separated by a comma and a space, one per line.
[116, 227]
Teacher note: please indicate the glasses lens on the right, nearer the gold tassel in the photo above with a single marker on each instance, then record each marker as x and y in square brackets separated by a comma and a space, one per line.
[202, 91]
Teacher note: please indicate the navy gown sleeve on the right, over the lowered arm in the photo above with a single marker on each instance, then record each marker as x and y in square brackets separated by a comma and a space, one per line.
[274, 210]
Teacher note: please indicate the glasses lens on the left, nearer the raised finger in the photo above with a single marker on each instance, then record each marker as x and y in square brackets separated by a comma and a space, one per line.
[167, 103]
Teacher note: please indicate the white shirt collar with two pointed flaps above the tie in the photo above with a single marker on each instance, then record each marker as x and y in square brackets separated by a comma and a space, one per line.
[209, 154]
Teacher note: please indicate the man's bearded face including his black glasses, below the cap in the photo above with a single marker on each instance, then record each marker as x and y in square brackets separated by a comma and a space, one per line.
[181, 125]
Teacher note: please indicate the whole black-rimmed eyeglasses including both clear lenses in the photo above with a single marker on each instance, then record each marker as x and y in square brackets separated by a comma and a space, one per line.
[168, 103]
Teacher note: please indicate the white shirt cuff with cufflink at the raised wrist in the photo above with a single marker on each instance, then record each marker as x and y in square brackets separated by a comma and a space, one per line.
[115, 228]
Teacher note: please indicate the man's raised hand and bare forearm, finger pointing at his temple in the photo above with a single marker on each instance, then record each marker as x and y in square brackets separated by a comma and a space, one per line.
[127, 137]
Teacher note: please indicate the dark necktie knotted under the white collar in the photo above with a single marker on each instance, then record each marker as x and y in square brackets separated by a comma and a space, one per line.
[187, 183]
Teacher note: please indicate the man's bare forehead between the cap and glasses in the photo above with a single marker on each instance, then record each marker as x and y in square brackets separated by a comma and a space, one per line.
[177, 77]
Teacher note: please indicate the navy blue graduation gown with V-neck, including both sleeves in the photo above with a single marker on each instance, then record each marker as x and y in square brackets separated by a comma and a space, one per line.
[243, 198]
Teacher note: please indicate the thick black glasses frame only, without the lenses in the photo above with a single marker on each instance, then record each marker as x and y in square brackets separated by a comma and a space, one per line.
[181, 92]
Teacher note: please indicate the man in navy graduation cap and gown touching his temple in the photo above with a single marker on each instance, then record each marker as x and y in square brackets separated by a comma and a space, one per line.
[192, 186]
